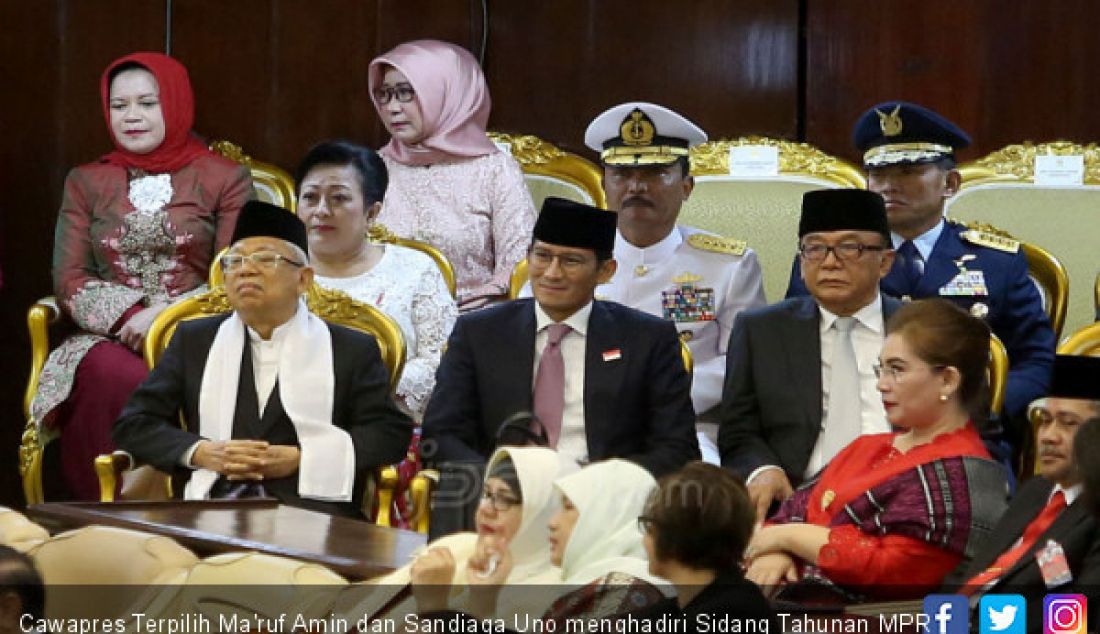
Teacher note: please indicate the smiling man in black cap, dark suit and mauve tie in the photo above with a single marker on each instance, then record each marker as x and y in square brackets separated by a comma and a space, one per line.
[606, 381]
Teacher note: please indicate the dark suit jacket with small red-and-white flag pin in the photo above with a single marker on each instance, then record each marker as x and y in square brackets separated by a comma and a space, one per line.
[637, 407]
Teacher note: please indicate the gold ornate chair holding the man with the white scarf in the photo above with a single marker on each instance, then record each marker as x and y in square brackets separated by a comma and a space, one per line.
[333, 307]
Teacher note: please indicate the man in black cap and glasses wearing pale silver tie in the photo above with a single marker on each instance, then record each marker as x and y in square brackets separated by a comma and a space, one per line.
[800, 381]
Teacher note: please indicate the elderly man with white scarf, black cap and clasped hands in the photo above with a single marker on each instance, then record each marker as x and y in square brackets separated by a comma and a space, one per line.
[277, 402]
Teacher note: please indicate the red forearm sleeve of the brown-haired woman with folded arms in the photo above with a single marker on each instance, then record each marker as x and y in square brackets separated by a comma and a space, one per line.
[856, 559]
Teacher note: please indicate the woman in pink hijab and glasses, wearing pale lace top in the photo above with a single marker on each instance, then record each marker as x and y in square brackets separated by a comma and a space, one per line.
[449, 185]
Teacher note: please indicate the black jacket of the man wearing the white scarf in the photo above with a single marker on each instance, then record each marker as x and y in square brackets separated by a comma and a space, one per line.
[149, 427]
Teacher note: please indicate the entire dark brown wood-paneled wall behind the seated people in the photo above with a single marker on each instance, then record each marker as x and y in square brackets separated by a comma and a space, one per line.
[279, 75]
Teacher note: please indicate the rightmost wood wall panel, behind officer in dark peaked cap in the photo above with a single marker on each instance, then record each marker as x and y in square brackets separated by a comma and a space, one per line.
[1005, 72]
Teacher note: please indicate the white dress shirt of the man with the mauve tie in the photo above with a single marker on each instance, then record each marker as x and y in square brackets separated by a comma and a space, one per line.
[573, 441]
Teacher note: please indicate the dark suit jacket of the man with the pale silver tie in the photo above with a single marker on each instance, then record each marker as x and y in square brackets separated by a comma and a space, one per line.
[772, 402]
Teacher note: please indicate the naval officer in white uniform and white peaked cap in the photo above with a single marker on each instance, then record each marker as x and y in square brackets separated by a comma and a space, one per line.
[696, 279]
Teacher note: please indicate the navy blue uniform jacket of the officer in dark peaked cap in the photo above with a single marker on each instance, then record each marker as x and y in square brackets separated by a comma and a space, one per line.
[1016, 309]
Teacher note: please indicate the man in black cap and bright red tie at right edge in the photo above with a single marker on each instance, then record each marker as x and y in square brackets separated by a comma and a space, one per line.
[1049, 541]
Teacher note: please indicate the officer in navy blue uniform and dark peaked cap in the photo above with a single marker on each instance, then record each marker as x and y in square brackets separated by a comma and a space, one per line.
[909, 155]
